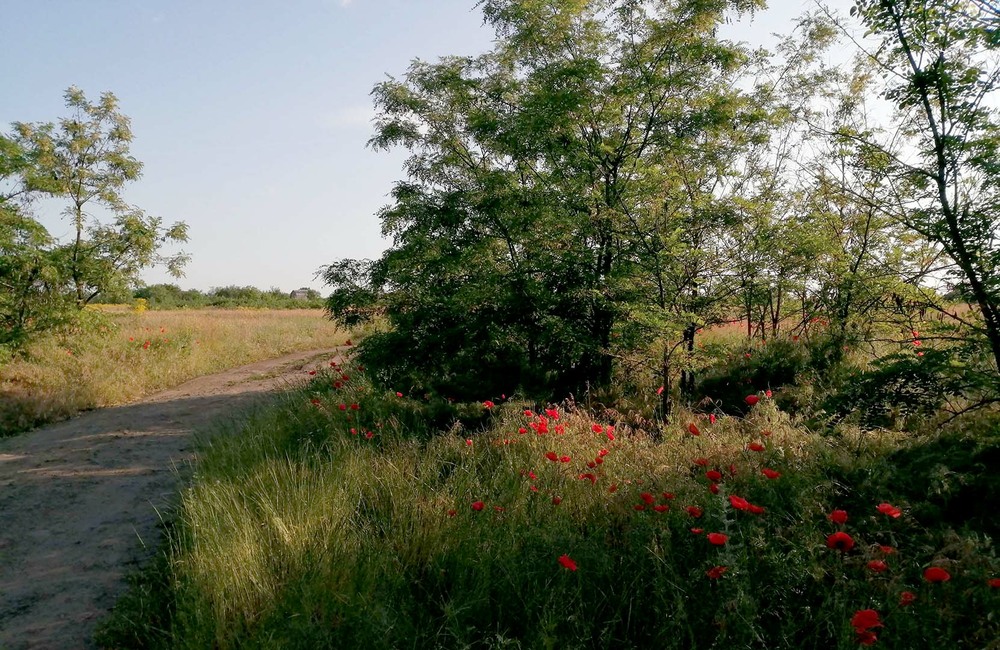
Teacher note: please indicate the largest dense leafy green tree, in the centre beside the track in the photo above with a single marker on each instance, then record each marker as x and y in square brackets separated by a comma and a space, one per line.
[555, 192]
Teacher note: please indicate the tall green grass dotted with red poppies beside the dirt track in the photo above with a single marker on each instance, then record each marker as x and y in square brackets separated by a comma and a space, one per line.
[346, 517]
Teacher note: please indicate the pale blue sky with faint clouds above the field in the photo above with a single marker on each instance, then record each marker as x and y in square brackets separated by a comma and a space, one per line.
[251, 117]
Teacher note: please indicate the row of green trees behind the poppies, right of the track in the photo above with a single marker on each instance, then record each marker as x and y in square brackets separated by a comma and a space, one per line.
[614, 176]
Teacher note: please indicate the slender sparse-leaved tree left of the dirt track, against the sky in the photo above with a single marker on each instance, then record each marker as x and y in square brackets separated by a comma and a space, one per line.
[86, 161]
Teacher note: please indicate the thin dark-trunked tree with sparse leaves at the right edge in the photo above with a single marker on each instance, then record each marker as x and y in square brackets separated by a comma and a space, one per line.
[940, 176]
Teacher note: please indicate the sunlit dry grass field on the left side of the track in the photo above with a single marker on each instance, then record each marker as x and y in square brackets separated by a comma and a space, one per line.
[116, 357]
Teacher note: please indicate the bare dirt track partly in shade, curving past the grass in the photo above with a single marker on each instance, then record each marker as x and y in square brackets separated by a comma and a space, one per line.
[79, 500]
